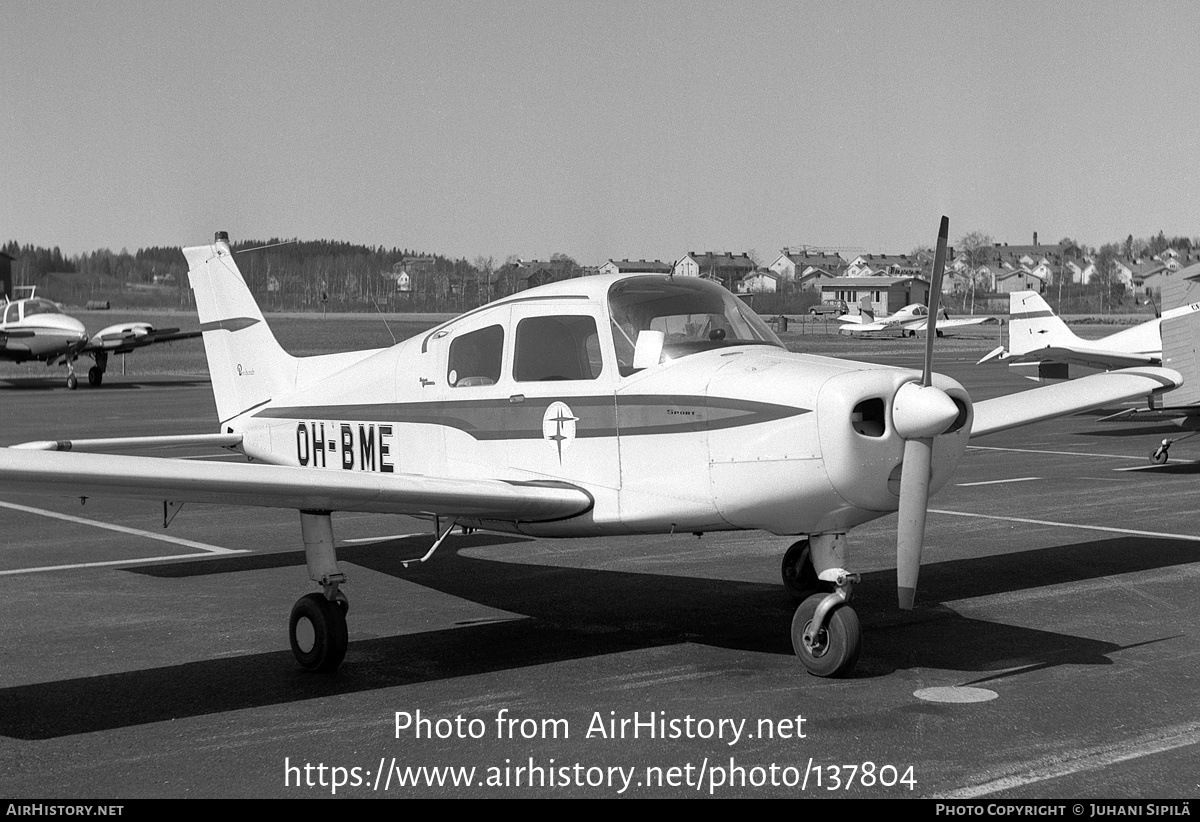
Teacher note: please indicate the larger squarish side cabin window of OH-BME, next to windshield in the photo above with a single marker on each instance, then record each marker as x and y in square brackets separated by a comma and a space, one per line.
[551, 349]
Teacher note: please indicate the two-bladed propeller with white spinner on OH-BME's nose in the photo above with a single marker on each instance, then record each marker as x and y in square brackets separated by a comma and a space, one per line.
[920, 413]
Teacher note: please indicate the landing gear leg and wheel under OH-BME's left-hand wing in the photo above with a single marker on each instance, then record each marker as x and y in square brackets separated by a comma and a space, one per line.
[317, 628]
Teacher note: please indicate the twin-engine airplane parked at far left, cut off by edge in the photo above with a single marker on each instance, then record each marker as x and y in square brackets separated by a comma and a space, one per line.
[38, 329]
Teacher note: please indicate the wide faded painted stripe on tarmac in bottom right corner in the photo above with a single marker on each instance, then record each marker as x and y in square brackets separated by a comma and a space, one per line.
[1065, 764]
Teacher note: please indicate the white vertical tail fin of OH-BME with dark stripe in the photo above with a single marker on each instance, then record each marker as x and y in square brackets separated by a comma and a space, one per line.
[247, 364]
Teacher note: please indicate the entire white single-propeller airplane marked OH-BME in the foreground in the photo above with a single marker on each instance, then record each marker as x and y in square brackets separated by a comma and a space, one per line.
[626, 405]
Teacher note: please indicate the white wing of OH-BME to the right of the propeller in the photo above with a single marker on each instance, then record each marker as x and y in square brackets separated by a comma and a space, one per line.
[1071, 398]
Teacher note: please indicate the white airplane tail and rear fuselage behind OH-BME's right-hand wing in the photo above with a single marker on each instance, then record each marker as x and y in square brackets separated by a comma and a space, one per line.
[1037, 338]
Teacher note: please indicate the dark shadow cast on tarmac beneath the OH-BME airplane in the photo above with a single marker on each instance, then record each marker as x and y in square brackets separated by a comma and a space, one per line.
[574, 614]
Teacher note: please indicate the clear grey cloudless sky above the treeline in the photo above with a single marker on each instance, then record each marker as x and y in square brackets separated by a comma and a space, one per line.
[597, 129]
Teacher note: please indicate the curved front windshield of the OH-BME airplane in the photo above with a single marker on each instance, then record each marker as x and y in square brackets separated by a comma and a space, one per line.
[693, 315]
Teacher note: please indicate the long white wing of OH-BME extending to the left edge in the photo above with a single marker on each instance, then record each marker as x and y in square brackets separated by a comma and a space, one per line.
[284, 487]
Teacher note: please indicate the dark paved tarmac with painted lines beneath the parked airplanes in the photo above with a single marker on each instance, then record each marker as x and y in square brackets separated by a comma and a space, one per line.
[1059, 587]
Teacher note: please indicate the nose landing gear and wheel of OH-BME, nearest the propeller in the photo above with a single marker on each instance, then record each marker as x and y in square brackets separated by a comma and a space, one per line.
[826, 634]
